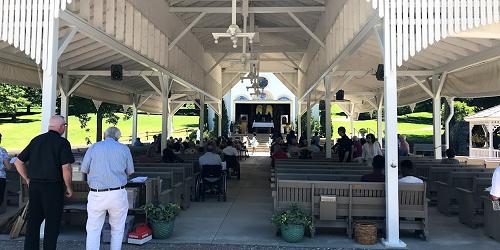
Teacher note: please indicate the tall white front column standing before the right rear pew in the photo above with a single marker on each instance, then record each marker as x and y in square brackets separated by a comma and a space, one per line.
[391, 130]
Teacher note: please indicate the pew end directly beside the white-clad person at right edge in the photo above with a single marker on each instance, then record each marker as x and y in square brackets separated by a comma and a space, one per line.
[470, 203]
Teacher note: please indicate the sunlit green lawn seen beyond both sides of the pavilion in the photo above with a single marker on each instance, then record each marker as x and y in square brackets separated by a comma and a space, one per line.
[16, 135]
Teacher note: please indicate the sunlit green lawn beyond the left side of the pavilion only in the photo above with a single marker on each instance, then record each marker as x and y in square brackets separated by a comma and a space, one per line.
[16, 135]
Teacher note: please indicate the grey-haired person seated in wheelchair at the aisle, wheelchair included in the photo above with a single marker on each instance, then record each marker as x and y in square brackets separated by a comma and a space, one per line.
[213, 176]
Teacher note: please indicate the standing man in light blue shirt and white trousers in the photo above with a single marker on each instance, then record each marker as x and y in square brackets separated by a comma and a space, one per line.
[108, 164]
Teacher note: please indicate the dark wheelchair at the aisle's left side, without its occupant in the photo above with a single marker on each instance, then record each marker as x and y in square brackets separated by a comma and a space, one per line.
[212, 179]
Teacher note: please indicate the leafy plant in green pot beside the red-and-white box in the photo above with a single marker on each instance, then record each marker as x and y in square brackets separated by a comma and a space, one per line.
[161, 219]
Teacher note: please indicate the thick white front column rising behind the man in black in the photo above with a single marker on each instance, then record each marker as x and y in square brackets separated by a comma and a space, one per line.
[49, 86]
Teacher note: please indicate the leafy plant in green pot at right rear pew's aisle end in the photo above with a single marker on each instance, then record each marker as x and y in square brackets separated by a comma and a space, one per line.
[292, 223]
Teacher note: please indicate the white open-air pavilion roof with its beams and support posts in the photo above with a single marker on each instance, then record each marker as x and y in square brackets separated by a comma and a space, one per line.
[429, 49]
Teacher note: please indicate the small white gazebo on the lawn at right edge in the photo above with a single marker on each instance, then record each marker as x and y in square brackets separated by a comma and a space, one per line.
[490, 120]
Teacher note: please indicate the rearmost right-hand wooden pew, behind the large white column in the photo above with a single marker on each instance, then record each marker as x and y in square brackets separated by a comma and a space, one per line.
[349, 201]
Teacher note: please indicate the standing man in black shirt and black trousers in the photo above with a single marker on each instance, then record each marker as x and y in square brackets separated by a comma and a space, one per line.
[48, 176]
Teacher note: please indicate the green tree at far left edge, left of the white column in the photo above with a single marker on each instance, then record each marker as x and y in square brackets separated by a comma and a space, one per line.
[12, 97]
